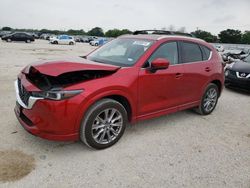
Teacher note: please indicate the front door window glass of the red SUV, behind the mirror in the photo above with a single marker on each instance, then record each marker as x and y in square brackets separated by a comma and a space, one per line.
[167, 51]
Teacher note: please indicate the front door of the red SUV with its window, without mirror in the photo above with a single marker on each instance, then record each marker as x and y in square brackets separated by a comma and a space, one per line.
[160, 91]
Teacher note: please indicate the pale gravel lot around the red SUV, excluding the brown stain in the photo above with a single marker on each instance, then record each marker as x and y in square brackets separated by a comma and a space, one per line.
[178, 150]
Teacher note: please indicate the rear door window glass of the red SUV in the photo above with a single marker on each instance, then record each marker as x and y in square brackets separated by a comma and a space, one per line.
[190, 52]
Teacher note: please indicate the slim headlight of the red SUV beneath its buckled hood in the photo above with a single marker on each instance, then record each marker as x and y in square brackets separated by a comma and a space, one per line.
[56, 95]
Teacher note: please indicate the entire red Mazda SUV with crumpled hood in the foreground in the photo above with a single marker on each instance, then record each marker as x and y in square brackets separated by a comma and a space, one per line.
[131, 78]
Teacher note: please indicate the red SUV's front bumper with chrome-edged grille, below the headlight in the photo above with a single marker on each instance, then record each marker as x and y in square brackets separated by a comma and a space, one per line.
[48, 119]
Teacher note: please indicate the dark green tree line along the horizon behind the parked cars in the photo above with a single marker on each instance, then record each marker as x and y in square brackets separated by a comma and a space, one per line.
[225, 36]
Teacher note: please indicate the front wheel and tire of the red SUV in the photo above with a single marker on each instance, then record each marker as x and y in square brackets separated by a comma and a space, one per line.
[106, 133]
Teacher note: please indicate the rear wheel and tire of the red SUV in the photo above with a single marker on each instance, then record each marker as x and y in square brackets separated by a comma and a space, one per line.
[209, 100]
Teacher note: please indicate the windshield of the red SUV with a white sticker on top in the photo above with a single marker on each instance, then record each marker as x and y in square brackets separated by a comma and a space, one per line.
[121, 52]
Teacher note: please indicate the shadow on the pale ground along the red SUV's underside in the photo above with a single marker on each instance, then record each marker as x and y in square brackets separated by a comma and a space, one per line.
[132, 130]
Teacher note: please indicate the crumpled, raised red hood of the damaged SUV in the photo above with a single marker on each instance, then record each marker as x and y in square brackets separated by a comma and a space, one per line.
[58, 67]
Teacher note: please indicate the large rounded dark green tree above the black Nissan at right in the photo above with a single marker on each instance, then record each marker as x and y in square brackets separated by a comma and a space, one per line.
[230, 36]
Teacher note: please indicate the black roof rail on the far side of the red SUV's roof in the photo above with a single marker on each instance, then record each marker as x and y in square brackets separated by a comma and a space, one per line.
[161, 32]
